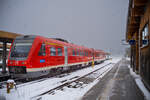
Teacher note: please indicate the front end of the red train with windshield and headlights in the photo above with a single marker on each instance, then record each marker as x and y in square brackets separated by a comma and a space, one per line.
[19, 55]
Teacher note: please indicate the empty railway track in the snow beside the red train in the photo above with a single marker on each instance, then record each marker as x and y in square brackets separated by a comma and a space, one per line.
[76, 79]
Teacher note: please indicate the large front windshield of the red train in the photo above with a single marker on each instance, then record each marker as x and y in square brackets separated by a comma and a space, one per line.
[20, 50]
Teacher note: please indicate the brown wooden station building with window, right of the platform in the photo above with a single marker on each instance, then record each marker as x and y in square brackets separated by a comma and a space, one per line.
[138, 36]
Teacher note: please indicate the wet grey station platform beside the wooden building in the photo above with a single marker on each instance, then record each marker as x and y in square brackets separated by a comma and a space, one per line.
[118, 84]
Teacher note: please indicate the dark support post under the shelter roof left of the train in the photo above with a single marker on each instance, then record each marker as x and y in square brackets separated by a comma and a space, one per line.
[4, 57]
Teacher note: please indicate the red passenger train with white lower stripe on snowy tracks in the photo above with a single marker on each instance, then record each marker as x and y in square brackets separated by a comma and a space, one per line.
[33, 56]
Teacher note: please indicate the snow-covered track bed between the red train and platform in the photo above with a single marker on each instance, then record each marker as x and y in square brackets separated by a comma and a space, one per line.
[73, 86]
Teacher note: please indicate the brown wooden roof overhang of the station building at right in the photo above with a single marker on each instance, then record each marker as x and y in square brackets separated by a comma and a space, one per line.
[135, 11]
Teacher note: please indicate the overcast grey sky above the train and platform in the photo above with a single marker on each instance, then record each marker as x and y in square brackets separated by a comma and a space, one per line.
[99, 24]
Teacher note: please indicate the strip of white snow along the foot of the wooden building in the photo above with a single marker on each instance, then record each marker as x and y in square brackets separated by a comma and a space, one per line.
[140, 84]
